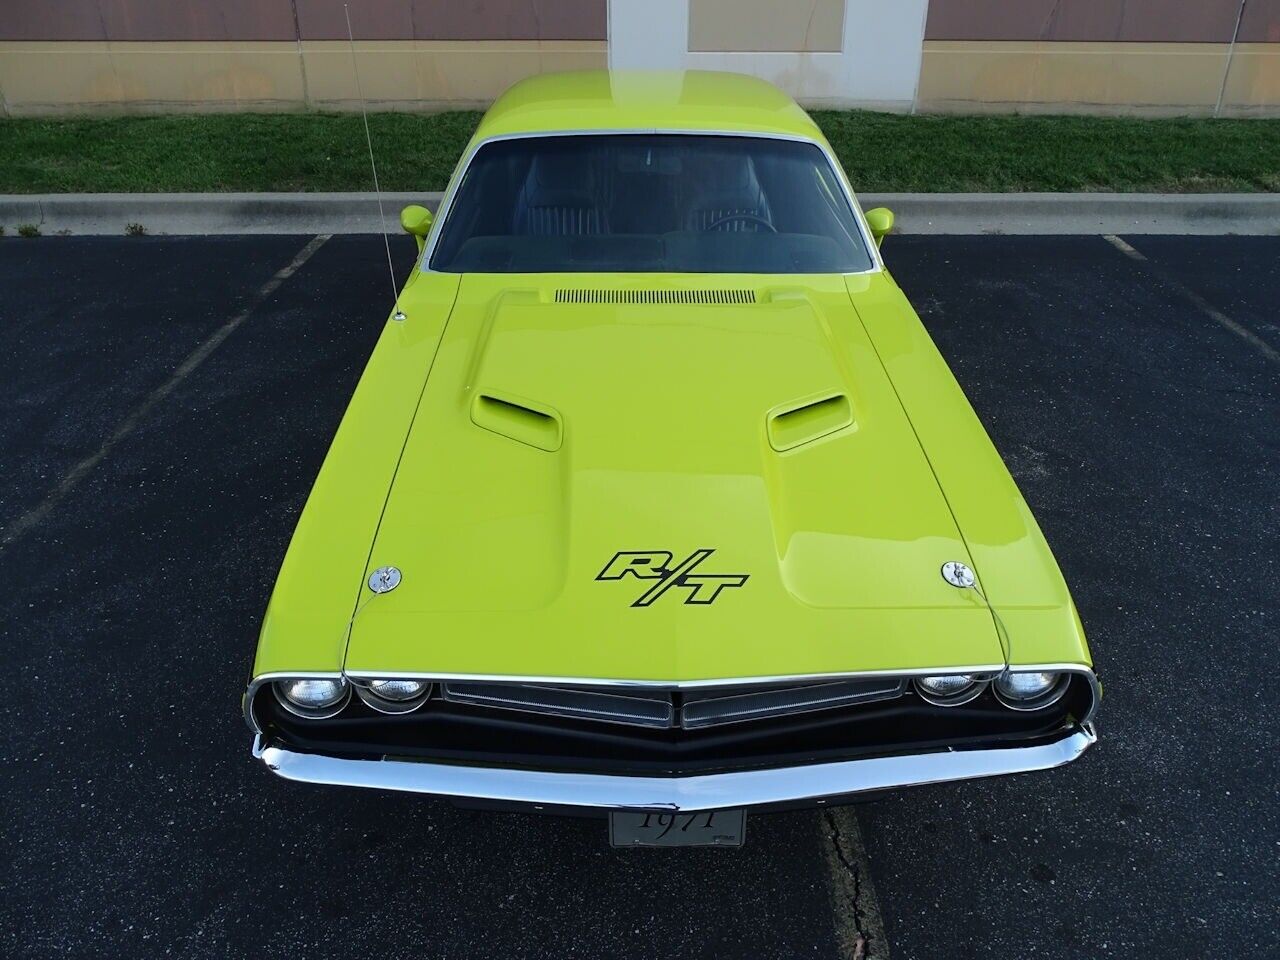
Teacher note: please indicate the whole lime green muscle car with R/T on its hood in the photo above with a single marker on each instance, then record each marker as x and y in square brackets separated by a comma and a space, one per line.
[656, 497]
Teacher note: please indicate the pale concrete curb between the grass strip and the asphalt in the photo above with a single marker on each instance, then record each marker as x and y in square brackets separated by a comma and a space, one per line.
[111, 214]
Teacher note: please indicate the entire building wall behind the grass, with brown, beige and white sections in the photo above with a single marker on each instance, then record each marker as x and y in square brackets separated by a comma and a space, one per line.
[1148, 57]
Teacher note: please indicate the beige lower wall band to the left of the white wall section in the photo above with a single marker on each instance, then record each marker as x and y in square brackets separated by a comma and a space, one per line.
[40, 77]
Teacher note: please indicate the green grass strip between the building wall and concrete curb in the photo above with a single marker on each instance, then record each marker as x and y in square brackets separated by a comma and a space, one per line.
[883, 153]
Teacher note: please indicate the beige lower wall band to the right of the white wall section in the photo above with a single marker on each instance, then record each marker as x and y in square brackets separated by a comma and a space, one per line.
[966, 76]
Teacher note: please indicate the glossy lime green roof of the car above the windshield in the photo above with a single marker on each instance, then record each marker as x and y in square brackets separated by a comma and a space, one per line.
[646, 100]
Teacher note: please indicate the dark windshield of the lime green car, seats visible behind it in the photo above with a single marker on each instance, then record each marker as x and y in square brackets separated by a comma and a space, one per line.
[651, 204]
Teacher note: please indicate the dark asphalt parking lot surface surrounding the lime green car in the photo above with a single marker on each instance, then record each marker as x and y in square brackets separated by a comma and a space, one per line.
[145, 506]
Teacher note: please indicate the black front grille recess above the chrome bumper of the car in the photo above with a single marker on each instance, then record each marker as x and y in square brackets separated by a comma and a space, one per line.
[455, 733]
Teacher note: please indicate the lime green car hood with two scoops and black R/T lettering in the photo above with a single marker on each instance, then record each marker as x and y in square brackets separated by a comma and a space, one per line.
[664, 482]
